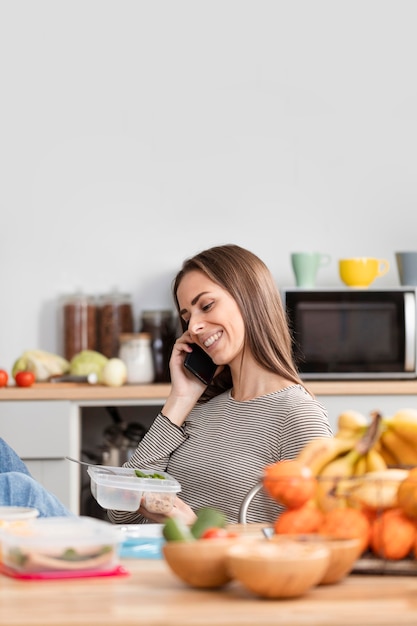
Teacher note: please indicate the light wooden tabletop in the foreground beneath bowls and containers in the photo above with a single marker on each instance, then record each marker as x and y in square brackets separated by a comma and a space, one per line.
[152, 596]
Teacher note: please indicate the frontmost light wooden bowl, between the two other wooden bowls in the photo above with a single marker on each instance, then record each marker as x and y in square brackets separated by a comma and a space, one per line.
[284, 569]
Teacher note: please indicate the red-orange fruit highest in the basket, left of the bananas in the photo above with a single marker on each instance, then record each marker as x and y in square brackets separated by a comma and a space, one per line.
[289, 482]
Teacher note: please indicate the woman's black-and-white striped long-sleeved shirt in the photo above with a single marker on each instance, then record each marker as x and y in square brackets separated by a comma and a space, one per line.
[220, 452]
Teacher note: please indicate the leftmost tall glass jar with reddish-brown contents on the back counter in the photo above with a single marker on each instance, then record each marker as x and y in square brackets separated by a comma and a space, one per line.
[79, 313]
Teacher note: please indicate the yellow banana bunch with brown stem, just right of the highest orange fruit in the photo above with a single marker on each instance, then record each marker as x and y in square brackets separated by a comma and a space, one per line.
[335, 460]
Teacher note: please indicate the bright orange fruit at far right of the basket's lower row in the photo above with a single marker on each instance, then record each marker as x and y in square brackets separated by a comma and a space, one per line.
[393, 535]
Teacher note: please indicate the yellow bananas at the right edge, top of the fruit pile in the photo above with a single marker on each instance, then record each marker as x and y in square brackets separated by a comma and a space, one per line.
[398, 440]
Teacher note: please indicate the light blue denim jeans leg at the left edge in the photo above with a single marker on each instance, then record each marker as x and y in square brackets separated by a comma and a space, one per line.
[18, 488]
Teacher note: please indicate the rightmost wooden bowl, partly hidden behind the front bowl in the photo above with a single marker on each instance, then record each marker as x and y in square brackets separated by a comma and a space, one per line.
[343, 554]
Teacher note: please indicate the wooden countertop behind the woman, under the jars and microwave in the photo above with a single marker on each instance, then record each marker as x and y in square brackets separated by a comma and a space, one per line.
[79, 392]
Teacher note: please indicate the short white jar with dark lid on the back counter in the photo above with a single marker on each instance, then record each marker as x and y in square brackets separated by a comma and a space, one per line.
[136, 352]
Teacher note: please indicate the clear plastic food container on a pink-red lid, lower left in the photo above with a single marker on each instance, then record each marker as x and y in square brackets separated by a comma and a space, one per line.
[56, 544]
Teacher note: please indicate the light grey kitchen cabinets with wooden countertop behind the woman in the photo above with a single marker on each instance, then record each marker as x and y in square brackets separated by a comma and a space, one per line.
[47, 422]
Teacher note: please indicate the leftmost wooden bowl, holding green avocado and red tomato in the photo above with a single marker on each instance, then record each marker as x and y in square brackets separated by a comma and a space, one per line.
[200, 563]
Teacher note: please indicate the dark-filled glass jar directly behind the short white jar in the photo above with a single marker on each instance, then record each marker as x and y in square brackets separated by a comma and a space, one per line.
[115, 317]
